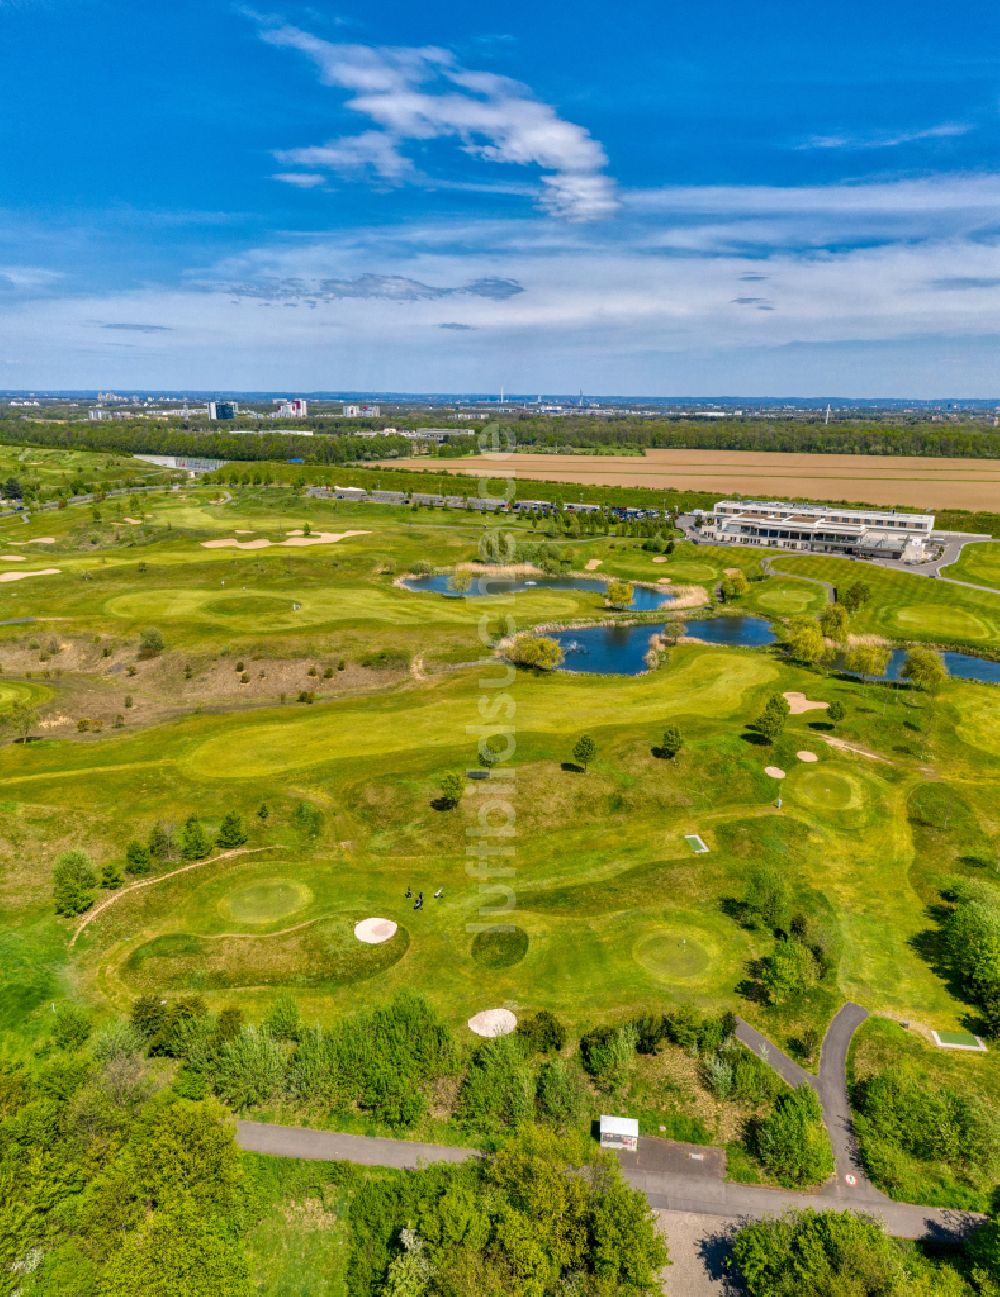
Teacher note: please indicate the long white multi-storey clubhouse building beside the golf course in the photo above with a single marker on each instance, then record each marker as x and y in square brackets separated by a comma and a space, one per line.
[870, 534]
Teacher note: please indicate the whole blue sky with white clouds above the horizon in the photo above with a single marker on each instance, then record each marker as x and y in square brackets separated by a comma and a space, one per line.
[656, 198]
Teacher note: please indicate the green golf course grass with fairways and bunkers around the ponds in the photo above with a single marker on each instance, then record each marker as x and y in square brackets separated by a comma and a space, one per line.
[250, 653]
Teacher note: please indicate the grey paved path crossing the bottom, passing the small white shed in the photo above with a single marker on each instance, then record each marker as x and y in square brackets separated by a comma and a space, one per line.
[670, 1176]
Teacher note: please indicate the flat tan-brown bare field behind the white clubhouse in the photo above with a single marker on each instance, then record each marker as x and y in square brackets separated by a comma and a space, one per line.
[892, 481]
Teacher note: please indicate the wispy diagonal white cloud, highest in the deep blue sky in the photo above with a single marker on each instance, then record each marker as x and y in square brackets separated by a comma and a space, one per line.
[423, 94]
